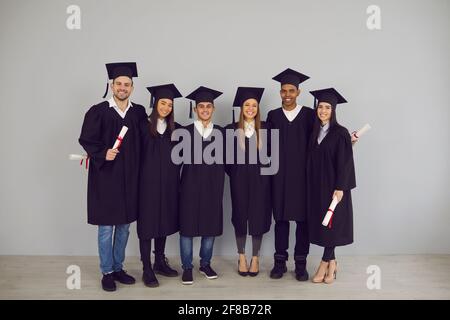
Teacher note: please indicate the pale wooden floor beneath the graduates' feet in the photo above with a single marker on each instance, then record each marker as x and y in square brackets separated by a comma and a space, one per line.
[402, 277]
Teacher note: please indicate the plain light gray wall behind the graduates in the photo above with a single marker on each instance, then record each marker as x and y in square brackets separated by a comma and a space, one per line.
[397, 79]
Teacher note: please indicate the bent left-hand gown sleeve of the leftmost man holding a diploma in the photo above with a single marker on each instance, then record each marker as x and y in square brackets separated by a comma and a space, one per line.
[90, 137]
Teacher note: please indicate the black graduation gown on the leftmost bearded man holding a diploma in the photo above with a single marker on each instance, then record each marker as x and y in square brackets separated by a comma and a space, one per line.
[112, 193]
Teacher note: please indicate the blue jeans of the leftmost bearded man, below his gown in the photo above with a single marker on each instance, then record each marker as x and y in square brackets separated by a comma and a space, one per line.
[112, 250]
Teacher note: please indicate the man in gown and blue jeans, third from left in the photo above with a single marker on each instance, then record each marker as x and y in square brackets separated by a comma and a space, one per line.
[202, 184]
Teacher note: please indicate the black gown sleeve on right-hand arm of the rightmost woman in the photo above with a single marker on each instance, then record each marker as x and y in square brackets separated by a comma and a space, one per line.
[345, 175]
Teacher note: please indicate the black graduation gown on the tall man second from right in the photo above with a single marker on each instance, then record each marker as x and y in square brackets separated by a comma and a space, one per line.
[289, 184]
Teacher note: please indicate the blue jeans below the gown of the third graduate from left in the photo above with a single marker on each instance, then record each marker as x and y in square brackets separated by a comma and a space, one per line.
[206, 248]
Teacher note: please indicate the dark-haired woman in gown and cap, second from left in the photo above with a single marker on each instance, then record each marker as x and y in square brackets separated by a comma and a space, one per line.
[159, 182]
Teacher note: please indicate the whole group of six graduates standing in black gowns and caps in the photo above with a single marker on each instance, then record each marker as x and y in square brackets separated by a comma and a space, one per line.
[139, 181]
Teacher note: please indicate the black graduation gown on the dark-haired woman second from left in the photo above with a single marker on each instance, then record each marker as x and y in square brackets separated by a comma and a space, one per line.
[159, 181]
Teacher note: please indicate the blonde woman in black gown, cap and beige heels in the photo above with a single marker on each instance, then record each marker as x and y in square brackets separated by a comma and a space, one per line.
[250, 190]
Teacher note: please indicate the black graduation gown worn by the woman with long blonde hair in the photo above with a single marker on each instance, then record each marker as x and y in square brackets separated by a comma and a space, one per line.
[250, 192]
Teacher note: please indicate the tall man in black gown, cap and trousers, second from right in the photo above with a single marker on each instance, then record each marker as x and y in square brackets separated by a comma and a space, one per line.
[294, 123]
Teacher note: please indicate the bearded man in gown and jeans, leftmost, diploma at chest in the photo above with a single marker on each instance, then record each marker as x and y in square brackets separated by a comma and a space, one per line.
[113, 173]
